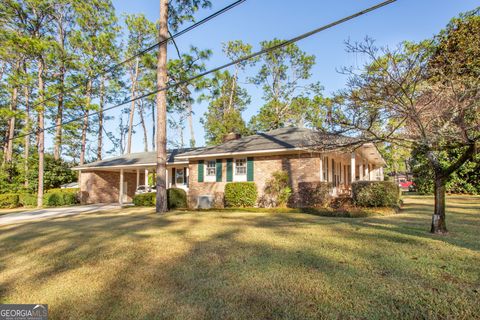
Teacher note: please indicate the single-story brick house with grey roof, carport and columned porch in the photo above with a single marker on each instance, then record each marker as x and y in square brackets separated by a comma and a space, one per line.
[307, 156]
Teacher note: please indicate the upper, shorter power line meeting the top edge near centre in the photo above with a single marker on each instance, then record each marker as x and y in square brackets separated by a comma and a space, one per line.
[140, 53]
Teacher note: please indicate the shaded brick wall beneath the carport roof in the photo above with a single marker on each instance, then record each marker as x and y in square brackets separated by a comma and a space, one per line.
[103, 186]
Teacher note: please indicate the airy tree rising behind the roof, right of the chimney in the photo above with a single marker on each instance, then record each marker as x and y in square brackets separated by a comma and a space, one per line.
[281, 76]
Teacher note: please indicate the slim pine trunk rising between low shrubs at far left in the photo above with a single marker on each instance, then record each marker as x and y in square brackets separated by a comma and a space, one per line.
[41, 133]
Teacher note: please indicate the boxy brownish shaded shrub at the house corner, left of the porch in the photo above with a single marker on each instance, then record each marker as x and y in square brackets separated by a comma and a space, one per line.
[313, 194]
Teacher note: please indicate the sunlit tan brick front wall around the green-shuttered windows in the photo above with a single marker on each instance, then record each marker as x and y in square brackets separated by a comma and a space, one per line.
[301, 168]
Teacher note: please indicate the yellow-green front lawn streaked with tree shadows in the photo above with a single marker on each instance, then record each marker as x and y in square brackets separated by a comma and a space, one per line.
[245, 265]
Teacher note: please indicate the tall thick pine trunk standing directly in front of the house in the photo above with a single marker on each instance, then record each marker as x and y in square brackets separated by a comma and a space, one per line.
[161, 205]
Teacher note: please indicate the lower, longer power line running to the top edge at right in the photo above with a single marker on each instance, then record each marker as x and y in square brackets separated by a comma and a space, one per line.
[253, 55]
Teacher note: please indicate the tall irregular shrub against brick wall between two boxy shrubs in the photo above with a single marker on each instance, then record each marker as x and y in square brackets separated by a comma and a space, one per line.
[277, 192]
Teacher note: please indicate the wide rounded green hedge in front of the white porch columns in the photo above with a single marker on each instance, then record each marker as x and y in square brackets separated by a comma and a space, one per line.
[375, 193]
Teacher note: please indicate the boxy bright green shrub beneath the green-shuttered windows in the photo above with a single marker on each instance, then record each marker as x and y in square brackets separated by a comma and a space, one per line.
[240, 194]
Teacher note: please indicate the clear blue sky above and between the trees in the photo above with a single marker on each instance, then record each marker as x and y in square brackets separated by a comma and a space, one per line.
[258, 20]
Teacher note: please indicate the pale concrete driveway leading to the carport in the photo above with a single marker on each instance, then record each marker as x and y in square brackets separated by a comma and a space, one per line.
[54, 212]
